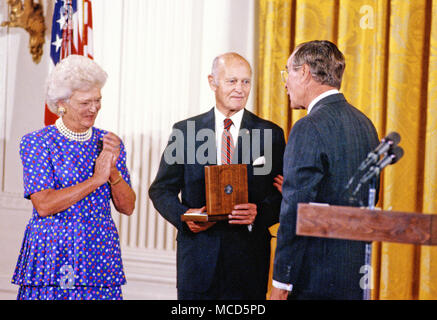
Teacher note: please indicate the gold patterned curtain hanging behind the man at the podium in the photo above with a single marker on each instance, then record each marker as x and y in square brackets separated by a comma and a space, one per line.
[391, 75]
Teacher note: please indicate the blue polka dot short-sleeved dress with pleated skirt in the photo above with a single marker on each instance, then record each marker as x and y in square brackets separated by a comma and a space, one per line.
[74, 254]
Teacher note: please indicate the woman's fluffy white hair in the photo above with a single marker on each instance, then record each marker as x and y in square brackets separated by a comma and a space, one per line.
[73, 73]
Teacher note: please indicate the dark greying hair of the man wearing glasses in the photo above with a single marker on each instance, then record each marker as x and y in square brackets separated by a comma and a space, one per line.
[325, 61]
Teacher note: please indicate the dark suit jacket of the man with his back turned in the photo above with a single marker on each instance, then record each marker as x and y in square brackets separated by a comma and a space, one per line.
[324, 150]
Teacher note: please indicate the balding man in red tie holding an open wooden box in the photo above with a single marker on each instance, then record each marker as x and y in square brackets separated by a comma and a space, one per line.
[228, 259]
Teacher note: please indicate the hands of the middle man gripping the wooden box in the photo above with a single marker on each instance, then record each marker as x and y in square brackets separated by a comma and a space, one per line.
[243, 214]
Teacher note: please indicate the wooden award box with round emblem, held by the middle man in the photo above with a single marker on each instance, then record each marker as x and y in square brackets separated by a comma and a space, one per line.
[225, 187]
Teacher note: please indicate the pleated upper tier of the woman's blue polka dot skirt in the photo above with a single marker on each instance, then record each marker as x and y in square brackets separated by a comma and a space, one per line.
[54, 250]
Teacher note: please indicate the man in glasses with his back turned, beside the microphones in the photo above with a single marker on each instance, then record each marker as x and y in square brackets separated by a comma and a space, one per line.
[323, 151]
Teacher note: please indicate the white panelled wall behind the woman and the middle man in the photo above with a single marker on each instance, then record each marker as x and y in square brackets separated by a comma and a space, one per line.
[158, 54]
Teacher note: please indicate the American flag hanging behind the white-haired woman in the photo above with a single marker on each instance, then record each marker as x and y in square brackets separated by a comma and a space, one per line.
[72, 33]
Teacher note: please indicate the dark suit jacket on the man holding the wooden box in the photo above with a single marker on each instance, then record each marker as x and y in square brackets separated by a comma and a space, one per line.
[198, 254]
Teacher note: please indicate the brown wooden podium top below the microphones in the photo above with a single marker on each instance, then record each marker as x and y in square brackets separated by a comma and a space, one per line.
[352, 223]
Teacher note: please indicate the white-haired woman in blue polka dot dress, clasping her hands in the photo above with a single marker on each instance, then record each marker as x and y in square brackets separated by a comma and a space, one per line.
[71, 171]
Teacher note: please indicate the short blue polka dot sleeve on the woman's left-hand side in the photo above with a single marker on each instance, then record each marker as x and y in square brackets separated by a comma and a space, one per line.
[38, 172]
